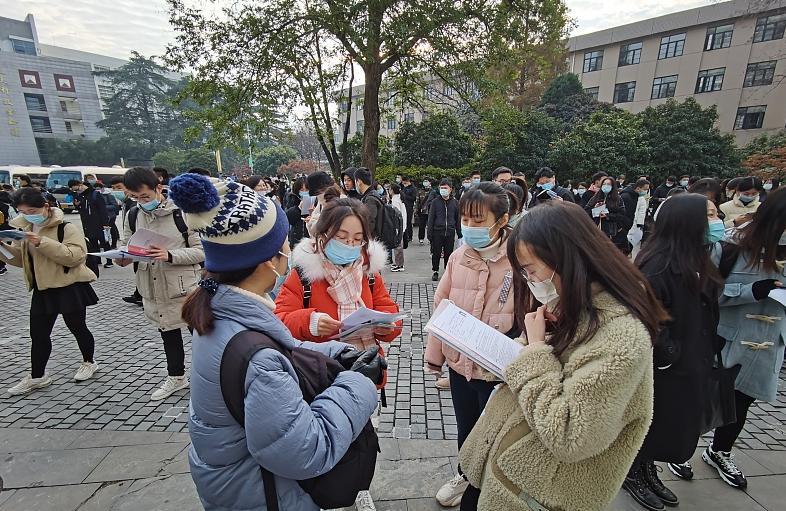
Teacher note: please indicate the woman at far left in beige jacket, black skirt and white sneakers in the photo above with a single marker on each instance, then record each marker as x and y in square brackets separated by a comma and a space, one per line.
[55, 271]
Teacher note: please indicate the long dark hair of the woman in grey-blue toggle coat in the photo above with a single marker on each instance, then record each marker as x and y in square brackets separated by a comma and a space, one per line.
[758, 240]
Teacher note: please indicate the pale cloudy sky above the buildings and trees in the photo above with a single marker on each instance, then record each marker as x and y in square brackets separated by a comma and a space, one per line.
[116, 27]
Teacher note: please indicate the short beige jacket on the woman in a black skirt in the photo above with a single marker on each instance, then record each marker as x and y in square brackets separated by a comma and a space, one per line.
[51, 257]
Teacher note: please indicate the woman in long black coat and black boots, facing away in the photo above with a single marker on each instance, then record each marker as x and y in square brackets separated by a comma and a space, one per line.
[676, 261]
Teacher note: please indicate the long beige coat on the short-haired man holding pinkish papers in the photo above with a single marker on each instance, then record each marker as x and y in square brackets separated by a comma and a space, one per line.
[164, 285]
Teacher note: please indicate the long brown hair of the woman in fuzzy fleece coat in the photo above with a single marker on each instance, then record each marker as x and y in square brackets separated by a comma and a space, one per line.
[563, 236]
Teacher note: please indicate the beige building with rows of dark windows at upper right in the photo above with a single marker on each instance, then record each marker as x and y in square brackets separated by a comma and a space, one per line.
[730, 54]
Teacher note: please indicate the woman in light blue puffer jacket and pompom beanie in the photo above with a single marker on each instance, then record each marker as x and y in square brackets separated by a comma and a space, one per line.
[282, 433]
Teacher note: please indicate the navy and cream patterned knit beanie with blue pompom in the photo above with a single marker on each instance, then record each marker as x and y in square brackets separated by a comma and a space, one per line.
[239, 228]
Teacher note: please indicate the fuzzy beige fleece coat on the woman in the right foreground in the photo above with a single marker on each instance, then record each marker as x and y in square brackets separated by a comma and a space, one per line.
[564, 431]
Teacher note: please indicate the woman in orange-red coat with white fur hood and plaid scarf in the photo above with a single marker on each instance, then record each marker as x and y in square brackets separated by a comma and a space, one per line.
[338, 264]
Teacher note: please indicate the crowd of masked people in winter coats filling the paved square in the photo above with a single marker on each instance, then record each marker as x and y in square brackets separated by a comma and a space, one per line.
[648, 314]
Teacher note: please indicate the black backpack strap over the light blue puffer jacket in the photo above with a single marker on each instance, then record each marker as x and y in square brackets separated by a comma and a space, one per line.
[234, 365]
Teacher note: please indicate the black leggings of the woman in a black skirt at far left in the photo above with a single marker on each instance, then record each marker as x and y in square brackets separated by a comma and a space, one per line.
[41, 326]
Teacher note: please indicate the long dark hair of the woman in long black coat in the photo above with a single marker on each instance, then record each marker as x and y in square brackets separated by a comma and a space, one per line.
[678, 241]
